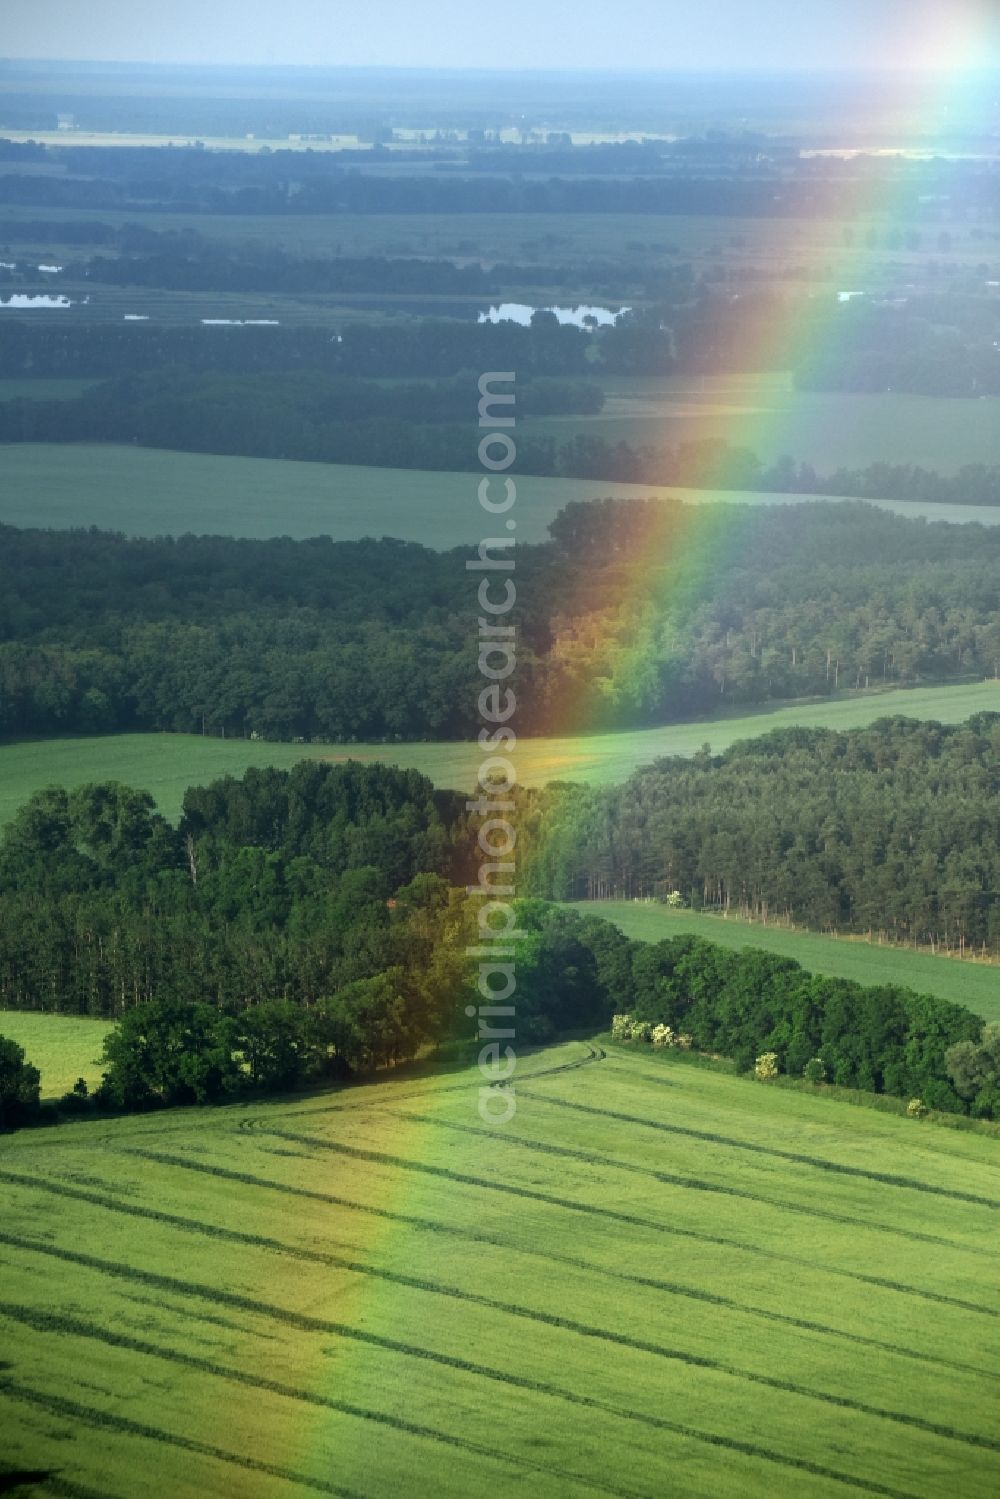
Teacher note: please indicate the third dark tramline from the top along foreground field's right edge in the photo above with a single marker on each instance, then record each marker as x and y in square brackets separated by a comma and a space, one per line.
[630, 1219]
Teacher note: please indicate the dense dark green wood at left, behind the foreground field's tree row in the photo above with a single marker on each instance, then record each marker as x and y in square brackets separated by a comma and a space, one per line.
[283, 887]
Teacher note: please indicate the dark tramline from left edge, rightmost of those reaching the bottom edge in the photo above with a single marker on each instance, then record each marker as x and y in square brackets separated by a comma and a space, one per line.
[313, 1324]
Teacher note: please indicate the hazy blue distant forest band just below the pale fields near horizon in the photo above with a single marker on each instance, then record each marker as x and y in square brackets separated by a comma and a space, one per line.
[143, 179]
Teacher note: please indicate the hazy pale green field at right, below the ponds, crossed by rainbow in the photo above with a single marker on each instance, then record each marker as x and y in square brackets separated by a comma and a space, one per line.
[765, 413]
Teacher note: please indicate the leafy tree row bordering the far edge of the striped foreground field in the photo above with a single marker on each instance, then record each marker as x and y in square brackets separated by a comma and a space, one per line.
[575, 974]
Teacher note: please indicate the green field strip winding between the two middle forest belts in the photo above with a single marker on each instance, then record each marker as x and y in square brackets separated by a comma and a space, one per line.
[167, 765]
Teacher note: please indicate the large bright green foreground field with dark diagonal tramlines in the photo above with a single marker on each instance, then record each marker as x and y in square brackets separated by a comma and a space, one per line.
[656, 1279]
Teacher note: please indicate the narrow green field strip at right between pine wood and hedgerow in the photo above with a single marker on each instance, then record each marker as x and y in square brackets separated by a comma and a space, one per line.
[977, 986]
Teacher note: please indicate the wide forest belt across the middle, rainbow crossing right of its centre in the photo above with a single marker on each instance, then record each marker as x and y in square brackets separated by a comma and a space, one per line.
[683, 611]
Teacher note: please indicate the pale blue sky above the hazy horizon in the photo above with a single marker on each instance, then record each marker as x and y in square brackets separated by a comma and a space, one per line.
[774, 35]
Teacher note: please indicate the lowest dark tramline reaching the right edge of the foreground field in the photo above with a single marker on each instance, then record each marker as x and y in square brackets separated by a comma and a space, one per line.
[563, 1324]
